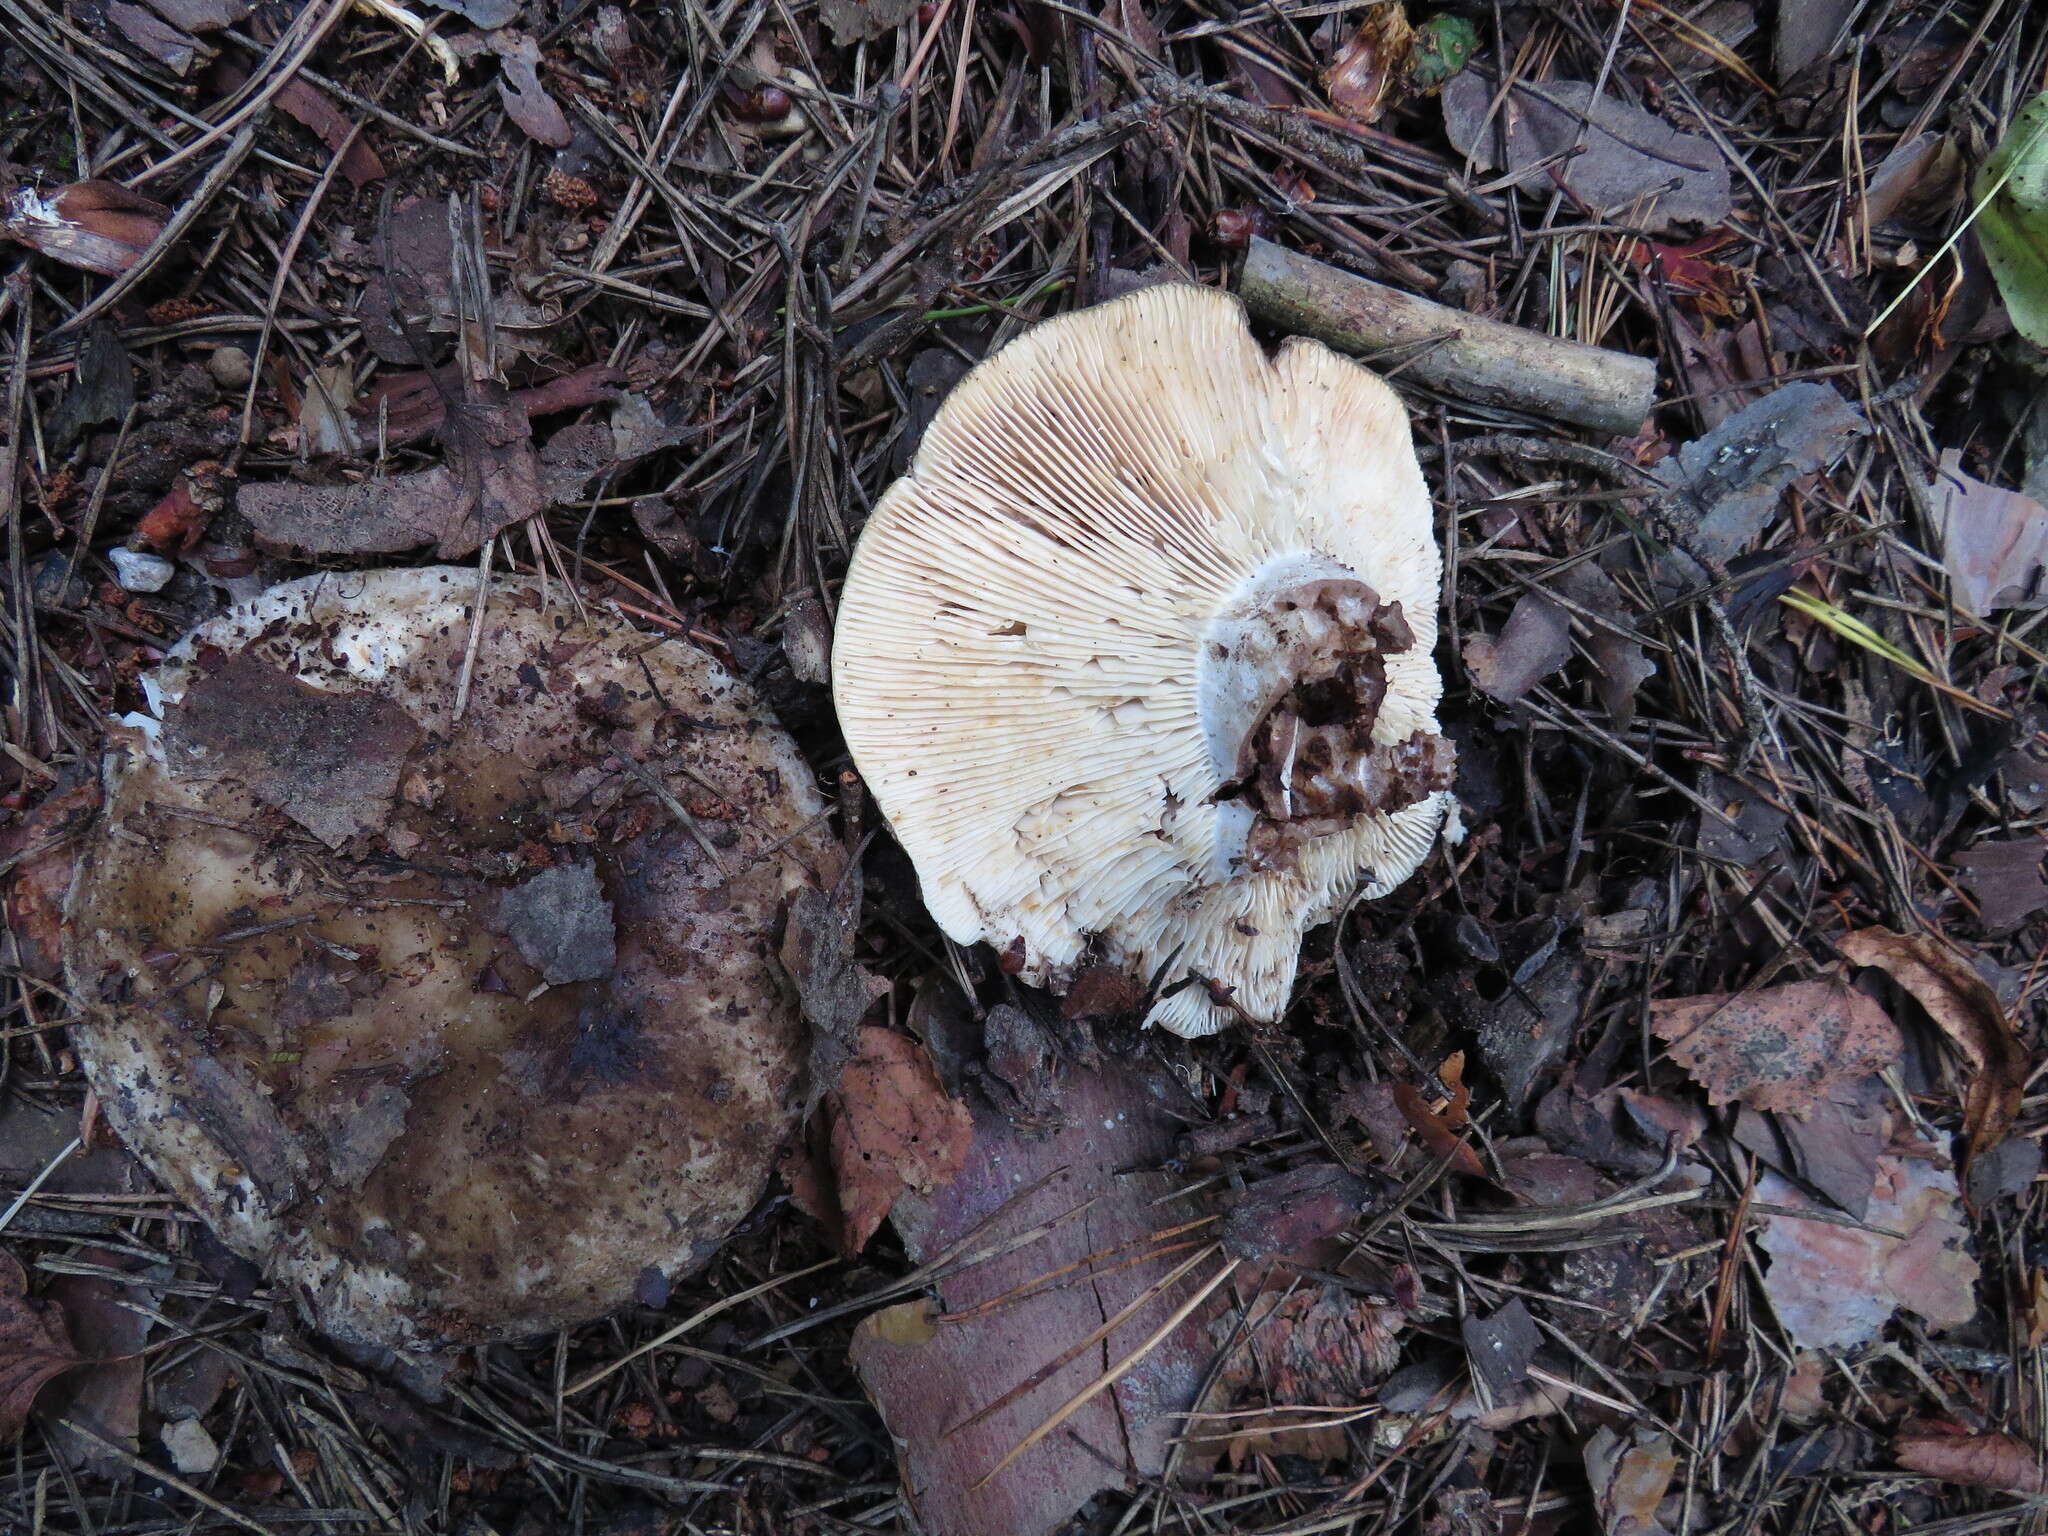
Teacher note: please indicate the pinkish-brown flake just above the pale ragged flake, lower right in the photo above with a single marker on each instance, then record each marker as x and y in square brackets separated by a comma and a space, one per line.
[1781, 1048]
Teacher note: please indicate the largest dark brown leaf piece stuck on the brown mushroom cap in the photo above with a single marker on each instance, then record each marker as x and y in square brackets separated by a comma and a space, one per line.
[329, 761]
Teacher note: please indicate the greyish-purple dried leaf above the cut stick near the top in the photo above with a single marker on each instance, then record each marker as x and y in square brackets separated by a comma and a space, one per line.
[1635, 169]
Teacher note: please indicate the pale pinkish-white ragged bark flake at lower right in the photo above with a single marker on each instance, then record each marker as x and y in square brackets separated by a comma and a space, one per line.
[1834, 1287]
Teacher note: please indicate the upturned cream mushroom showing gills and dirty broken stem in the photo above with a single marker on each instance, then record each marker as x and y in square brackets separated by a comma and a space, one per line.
[1138, 656]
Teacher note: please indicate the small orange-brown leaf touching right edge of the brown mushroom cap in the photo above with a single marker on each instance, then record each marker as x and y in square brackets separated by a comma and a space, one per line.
[892, 1127]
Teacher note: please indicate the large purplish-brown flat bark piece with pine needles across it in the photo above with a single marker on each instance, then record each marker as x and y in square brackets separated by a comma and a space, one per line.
[998, 1328]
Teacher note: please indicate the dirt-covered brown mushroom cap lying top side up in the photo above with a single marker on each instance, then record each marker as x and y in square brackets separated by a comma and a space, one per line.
[454, 1025]
